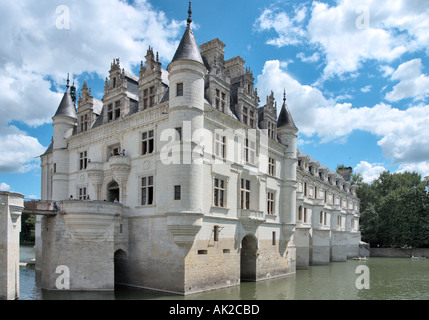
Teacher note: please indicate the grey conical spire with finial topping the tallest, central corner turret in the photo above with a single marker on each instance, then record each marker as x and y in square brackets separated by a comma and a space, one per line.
[188, 48]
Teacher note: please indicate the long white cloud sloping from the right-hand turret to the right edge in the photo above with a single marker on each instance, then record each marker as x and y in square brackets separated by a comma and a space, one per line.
[403, 134]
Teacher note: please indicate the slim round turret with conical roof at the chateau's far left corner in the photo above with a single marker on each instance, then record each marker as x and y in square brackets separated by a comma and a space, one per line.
[64, 122]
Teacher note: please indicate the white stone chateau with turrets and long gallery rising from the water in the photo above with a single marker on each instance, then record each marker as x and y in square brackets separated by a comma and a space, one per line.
[179, 181]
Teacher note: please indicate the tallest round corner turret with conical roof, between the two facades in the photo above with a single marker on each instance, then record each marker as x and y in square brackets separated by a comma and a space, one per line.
[186, 108]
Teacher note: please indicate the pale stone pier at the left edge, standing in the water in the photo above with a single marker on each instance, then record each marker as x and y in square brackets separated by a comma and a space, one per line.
[11, 206]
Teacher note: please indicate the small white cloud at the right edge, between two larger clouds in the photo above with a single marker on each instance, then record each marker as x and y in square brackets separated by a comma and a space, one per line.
[412, 83]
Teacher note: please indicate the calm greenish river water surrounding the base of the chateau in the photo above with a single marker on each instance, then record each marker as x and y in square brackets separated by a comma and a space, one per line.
[388, 279]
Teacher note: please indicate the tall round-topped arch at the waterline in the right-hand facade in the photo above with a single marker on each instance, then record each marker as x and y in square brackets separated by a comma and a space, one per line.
[248, 257]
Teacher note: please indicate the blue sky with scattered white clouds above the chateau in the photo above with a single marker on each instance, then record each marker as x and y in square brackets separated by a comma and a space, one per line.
[356, 72]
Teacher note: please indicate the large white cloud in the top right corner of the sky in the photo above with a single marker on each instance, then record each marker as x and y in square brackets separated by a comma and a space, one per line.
[349, 33]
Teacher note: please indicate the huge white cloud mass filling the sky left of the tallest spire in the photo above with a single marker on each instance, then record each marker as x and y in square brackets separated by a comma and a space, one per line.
[35, 57]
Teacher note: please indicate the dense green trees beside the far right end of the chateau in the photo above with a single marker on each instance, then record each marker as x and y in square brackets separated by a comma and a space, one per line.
[395, 210]
